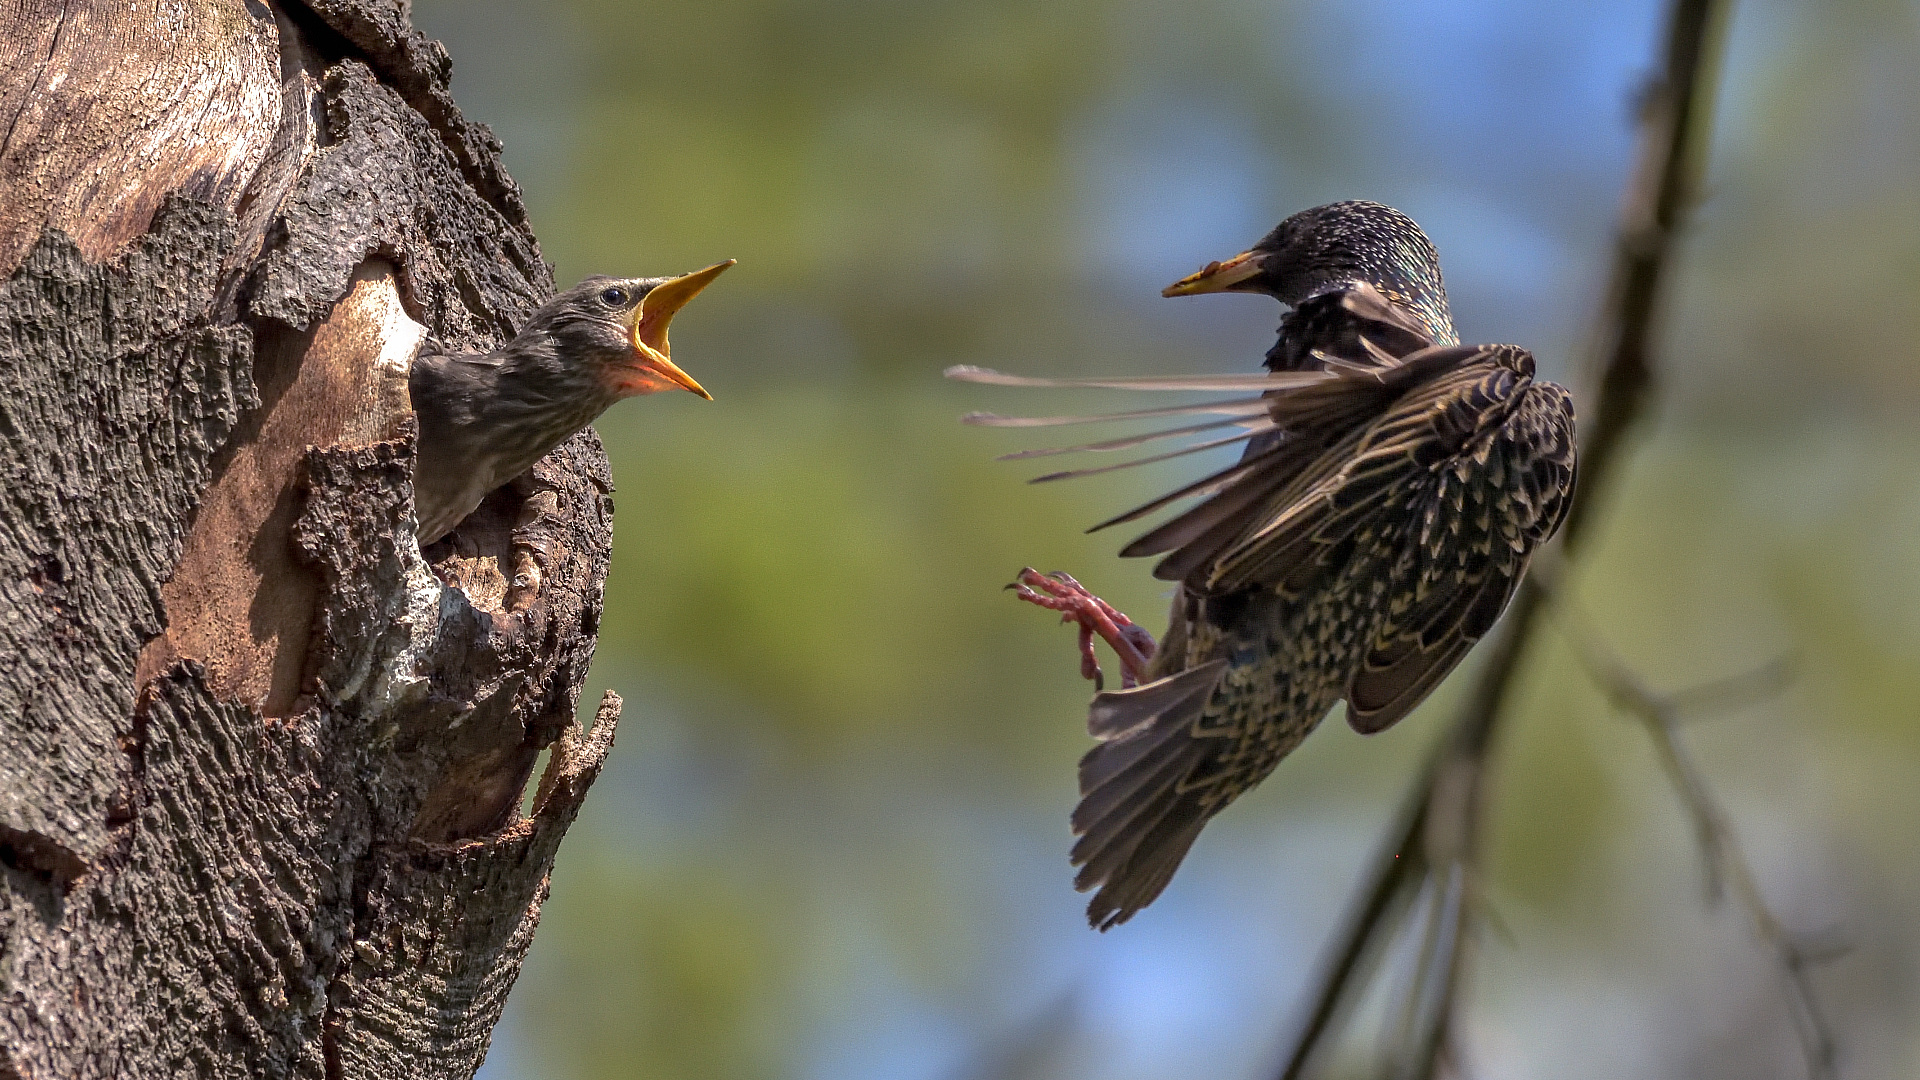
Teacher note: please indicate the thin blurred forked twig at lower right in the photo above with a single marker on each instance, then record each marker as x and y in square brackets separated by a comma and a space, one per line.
[1727, 864]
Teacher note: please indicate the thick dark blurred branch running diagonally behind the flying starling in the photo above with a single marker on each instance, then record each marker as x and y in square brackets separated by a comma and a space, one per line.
[1437, 835]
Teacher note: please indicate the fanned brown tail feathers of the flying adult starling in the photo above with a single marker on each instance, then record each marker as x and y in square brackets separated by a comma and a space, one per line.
[1136, 818]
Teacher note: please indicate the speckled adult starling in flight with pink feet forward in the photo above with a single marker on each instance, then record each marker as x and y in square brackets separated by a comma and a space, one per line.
[1378, 524]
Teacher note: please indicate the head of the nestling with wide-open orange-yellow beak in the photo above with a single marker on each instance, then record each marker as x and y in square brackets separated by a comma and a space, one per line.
[612, 331]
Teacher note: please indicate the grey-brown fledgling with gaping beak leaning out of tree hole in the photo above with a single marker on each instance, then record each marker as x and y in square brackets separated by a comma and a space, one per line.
[487, 418]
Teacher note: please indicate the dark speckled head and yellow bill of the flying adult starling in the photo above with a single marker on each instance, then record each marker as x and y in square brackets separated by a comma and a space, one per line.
[1332, 245]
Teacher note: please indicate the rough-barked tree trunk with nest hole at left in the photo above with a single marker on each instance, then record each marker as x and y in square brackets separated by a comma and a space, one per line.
[262, 762]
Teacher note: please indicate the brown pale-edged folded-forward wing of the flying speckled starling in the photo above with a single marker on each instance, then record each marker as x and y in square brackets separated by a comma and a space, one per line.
[1452, 468]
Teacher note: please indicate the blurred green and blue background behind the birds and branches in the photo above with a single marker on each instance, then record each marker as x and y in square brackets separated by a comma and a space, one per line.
[832, 841]
